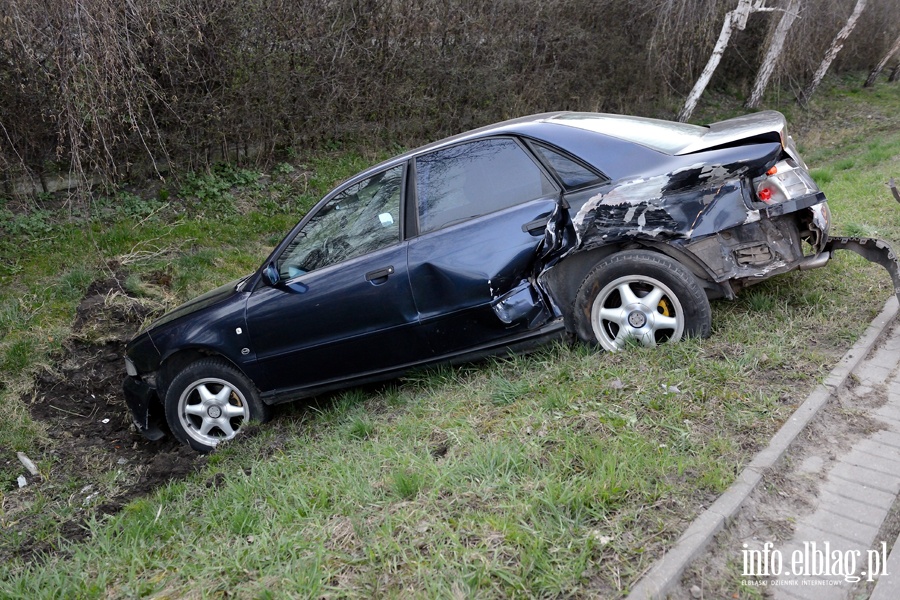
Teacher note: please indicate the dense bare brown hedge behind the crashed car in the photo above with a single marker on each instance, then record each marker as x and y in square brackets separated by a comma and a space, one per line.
[107, 89]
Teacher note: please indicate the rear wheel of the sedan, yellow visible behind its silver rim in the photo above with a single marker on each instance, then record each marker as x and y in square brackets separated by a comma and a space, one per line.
[640, 296]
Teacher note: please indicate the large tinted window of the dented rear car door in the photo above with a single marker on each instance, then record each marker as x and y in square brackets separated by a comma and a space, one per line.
[476, 178]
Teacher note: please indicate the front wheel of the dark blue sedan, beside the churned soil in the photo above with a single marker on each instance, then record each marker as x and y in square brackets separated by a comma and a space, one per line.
[209, 402]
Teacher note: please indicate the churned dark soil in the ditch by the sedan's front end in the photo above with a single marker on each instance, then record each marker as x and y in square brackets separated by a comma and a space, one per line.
[94, 461]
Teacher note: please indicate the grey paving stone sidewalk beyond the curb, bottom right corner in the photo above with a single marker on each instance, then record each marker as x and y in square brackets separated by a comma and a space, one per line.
[839, 540]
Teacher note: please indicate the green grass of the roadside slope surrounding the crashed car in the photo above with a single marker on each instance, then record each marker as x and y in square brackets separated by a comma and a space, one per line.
[563, 472]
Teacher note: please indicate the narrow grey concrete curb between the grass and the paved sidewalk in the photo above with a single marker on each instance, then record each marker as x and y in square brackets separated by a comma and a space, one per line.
[668, 570]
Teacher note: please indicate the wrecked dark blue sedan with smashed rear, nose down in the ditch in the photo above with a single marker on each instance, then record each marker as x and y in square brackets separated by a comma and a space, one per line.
[605, 228]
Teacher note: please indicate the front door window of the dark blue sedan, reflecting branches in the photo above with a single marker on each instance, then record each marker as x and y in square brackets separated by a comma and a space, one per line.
[362, 218]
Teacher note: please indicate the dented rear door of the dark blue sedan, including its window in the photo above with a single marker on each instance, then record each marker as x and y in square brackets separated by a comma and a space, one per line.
[481, 209]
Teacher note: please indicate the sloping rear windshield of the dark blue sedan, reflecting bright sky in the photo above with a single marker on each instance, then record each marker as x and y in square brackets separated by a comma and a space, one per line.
[663, 136]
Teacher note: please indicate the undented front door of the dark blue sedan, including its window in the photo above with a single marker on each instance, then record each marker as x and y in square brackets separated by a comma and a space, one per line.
[342, 306]
